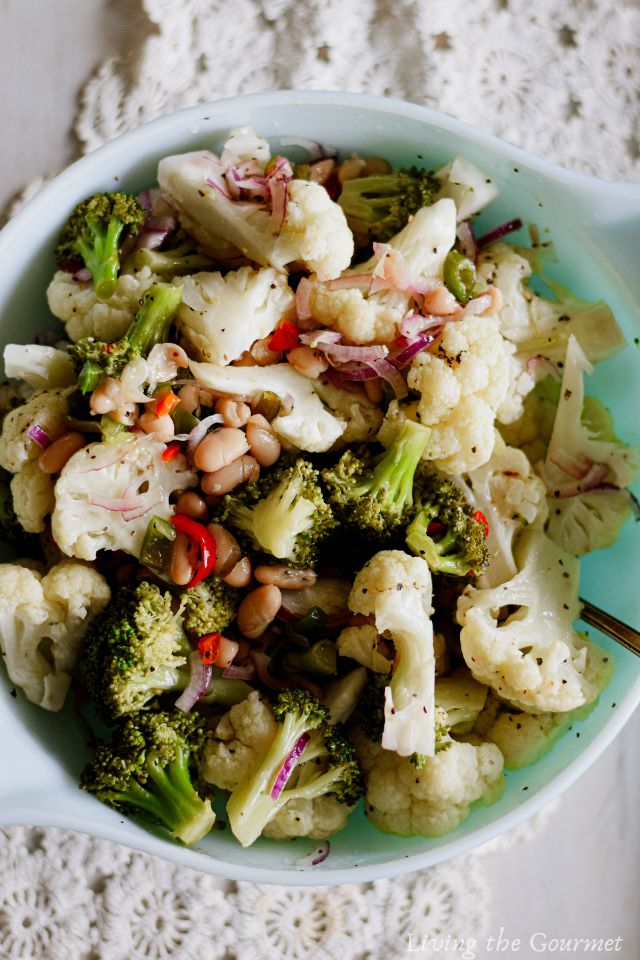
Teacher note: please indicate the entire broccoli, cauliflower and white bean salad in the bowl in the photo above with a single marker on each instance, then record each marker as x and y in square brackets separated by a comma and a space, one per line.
[298, 493]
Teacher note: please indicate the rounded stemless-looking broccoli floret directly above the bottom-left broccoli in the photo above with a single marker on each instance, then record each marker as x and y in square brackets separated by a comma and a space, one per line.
[134, 651]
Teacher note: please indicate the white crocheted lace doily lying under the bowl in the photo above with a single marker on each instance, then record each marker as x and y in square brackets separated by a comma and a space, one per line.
[558, 79]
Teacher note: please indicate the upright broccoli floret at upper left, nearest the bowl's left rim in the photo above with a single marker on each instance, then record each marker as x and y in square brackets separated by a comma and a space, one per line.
[95, 233]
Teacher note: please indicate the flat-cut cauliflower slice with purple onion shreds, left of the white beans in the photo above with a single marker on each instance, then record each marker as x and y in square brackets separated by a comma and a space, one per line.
[99, 480]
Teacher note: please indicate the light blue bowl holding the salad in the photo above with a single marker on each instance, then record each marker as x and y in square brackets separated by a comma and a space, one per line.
[595, 227]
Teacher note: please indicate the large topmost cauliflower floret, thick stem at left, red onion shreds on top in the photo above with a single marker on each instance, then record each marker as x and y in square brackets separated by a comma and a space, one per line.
[314, 231]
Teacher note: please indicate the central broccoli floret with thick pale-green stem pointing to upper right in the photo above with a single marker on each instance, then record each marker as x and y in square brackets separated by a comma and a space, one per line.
[372, 493]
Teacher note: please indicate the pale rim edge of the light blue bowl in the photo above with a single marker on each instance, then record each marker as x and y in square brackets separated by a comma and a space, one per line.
[579, 183]
